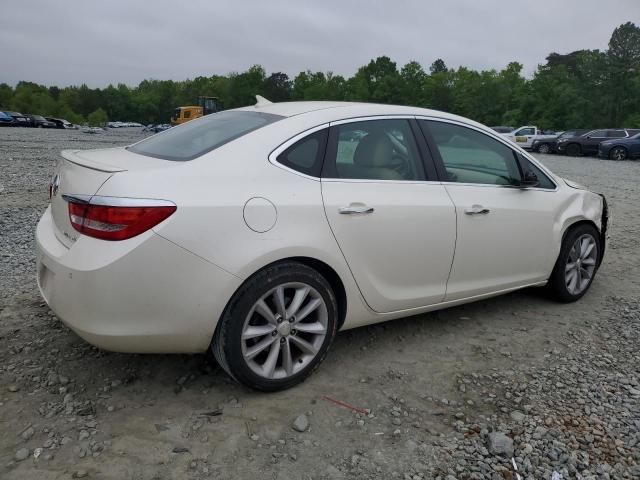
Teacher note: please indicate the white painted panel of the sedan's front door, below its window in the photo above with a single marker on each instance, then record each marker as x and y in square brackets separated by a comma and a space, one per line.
[508, 246]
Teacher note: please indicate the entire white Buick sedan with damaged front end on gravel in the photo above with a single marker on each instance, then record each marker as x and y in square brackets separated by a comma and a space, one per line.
[260, 232]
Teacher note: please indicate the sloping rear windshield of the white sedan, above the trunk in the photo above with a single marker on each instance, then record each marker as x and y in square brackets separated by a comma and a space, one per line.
[200, 136]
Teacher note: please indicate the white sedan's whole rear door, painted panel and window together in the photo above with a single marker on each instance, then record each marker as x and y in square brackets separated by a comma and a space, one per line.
[396, 230]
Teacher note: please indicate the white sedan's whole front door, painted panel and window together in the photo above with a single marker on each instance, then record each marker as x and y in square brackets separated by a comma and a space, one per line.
[504, 233]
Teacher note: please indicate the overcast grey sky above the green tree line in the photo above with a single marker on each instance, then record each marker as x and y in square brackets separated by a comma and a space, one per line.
[120, 41]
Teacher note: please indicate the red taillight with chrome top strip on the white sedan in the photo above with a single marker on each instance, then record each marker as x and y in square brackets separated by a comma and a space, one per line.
[116, 218]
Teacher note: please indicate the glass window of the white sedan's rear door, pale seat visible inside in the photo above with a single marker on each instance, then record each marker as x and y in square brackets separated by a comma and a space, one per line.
[375, 150]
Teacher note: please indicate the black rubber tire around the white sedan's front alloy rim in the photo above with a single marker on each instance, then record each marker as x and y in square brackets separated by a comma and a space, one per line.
[557, 284]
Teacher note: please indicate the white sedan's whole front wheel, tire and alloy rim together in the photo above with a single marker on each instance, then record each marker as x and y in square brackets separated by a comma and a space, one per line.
[577, 264]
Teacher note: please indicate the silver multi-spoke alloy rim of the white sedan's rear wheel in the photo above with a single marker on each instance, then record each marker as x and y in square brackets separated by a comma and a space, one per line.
[284, 330]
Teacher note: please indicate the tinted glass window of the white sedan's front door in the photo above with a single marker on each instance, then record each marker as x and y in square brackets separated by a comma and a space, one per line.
[470, 156]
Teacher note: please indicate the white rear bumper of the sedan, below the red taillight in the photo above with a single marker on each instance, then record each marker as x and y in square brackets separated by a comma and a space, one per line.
[143, 295]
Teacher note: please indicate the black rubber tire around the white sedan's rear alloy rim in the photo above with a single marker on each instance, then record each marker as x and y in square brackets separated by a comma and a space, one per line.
[227, 341]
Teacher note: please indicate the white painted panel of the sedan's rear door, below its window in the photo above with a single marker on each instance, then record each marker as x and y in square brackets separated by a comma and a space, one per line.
[400, 254]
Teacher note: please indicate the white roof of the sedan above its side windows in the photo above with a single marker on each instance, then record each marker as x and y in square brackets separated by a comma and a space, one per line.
[334, 111]
